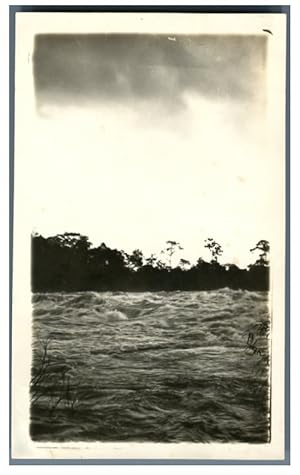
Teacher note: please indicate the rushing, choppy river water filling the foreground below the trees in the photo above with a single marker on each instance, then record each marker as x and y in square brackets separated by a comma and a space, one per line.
[162, 367]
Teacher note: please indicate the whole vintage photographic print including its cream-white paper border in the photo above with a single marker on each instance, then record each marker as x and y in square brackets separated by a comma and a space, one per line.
[148, 289]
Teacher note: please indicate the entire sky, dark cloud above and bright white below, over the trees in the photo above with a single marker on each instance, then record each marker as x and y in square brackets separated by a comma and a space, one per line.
[140, 139]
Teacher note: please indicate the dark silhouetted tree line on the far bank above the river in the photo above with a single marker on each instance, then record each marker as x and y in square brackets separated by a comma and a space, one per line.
[69, 262]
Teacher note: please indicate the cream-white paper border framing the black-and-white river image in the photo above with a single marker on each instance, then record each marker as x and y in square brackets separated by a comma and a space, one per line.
[29, 24]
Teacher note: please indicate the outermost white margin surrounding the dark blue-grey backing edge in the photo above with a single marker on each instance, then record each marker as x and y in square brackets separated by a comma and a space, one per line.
[295, 239]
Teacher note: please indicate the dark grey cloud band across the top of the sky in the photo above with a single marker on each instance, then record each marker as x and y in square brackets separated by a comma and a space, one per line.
[157, 67]
